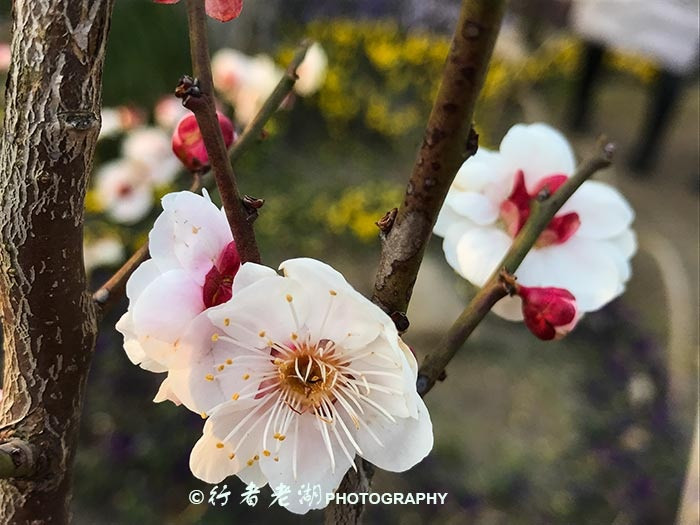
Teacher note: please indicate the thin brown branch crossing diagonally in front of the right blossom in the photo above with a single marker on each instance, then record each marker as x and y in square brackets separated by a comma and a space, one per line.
[497, 287]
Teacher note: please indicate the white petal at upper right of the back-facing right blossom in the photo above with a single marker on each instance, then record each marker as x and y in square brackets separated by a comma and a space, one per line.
[602, 210]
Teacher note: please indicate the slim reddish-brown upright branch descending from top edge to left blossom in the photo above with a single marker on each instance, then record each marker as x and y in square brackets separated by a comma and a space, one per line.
[204, 111]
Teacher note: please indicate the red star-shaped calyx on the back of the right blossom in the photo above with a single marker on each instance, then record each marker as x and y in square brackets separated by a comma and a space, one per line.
[515, 211]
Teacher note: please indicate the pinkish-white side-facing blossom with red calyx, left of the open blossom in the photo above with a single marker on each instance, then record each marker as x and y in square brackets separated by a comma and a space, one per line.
[193, 262]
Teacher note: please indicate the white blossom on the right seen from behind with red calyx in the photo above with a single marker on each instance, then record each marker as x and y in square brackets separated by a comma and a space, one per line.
[586, 248]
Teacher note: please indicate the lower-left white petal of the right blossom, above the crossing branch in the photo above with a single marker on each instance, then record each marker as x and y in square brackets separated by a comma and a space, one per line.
[480, 251]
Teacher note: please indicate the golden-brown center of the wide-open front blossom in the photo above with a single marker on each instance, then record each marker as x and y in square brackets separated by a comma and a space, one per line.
[308, 376]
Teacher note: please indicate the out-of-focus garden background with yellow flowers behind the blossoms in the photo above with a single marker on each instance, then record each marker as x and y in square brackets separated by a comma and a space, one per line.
[593, 429]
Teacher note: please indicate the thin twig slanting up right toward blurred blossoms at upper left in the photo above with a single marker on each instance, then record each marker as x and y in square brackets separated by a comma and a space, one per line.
[254, 129]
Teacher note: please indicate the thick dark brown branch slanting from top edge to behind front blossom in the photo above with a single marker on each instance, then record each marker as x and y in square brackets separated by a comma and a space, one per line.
[448, 142]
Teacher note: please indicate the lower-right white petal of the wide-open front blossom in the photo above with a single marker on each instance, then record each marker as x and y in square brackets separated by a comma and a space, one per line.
[406, 442]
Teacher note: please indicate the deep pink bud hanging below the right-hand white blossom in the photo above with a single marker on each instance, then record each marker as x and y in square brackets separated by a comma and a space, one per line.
[550, 313]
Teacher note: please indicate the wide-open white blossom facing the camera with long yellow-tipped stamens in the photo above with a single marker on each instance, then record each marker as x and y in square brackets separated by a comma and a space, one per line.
[297, 375]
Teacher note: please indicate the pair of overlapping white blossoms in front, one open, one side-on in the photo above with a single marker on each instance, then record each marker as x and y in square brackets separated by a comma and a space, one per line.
[295, 374]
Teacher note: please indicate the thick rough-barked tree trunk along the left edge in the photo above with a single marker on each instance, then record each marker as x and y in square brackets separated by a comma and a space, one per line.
[49, 321]
